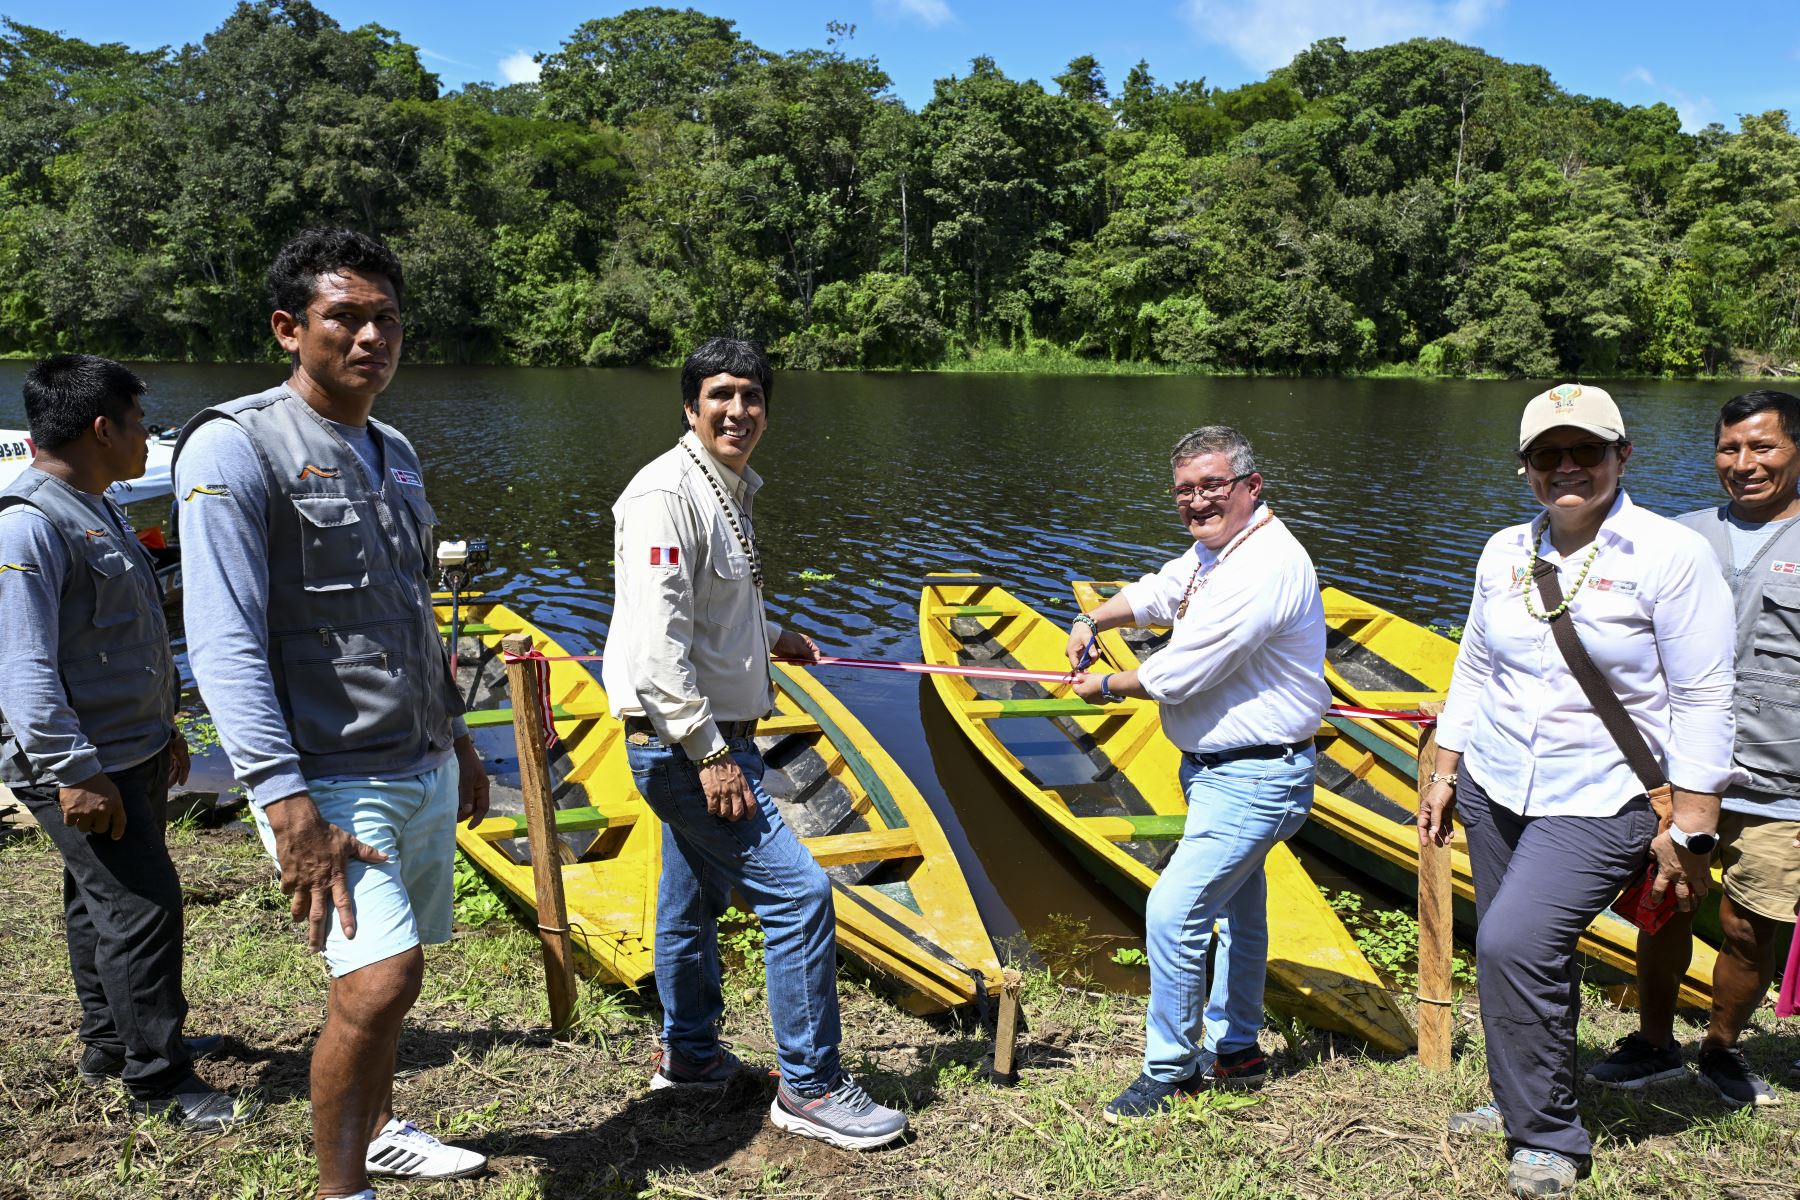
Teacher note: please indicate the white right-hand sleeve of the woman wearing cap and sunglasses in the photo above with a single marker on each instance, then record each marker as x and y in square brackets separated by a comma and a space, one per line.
[1695, 640]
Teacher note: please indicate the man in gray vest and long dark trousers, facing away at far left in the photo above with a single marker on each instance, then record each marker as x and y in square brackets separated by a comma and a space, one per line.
[87, 730]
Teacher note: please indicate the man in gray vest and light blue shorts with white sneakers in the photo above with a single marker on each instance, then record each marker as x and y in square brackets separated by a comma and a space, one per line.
[307, 546]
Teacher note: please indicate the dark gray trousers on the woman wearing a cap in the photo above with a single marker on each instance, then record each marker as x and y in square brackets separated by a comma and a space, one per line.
[1538, 884]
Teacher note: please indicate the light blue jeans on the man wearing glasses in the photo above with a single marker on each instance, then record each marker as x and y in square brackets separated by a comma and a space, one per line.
[1237, 812]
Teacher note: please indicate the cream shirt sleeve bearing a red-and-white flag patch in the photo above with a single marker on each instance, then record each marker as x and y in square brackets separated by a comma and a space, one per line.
[660, 636]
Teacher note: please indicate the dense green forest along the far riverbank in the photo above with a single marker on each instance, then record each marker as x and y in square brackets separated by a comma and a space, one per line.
[1421, 204]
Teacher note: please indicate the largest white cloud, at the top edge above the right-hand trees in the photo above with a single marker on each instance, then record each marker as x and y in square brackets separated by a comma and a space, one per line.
[1268, 33]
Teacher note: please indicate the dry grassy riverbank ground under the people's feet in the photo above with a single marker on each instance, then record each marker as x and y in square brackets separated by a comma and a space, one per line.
[573, 1118]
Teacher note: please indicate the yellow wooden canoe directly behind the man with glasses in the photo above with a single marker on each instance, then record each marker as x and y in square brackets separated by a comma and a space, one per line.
[1106, 784]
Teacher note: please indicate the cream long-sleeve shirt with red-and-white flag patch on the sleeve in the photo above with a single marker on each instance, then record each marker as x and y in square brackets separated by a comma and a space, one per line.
[688, 645]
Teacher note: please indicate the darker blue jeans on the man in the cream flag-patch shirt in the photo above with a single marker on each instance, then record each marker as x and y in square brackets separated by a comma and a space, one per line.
[706, 857]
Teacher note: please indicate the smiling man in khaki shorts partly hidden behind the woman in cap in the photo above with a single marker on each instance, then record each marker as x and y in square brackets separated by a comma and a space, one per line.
[1758, 541]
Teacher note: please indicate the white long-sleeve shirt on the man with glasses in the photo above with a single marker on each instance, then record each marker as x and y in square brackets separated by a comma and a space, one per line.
[1246, 665]
